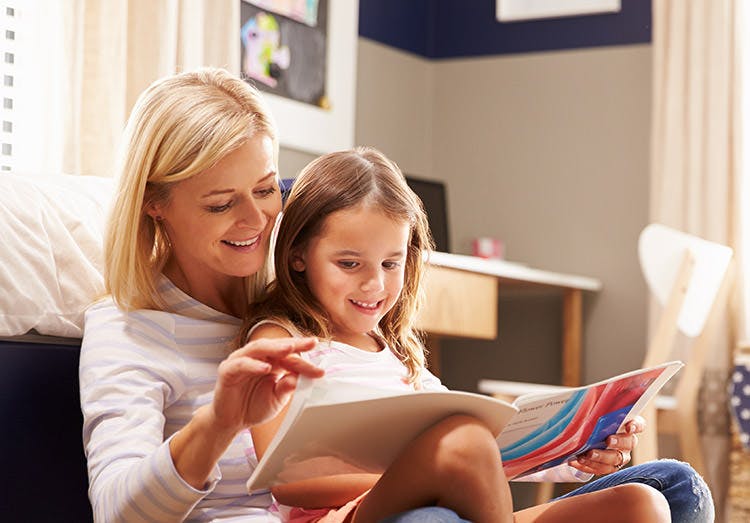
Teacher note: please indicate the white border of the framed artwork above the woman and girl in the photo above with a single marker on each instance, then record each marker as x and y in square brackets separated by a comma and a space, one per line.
[314, 130]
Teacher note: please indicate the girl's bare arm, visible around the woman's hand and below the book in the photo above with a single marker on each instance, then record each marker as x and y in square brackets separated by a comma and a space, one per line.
[325, 491]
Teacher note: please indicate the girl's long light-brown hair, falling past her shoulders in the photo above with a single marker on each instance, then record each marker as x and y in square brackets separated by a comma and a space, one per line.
[331, 183]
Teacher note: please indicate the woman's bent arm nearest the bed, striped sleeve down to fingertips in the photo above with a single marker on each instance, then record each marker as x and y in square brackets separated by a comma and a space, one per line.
[129, 373]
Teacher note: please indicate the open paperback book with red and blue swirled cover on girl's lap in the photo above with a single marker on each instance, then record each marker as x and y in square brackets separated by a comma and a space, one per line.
[324, 434]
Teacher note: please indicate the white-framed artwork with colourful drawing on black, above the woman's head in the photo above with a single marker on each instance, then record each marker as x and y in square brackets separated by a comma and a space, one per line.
[303, 55]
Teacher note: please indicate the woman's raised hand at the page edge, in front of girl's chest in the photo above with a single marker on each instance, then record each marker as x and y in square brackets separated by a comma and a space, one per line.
[256, 381]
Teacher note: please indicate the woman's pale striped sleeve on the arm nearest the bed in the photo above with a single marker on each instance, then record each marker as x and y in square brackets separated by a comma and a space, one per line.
[126, 380]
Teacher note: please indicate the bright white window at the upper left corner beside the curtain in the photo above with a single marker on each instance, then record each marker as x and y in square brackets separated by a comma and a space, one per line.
[38, 40]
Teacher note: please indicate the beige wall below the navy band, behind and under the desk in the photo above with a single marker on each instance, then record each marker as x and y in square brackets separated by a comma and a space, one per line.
[546, 151]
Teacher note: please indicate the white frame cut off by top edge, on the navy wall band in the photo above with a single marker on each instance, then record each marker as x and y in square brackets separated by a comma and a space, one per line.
[517, 10]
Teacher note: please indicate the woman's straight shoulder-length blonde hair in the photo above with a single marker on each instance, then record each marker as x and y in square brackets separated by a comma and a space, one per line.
[180, 126]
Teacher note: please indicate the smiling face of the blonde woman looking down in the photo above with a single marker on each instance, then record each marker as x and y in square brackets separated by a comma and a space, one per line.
[219, 222]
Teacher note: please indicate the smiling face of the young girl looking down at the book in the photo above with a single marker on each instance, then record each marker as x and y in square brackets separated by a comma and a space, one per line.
[355, 269]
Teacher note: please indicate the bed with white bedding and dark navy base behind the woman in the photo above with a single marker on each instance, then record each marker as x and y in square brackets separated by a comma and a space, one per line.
[51, 269]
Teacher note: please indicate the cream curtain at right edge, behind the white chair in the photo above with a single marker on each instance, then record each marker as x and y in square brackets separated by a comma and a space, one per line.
[696, 178]
